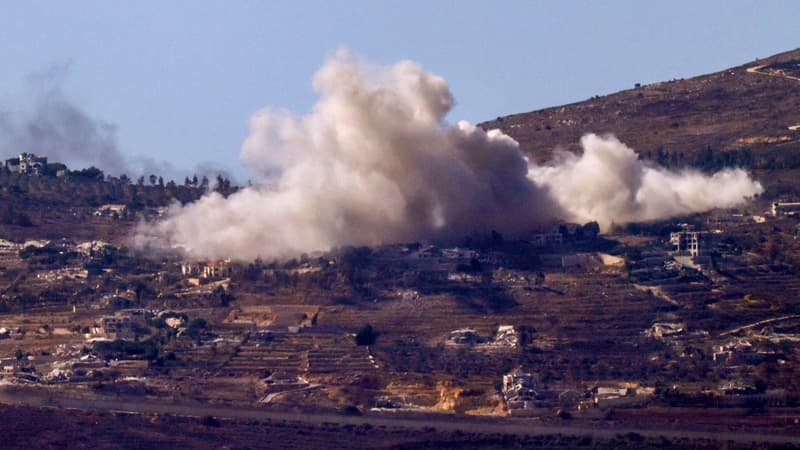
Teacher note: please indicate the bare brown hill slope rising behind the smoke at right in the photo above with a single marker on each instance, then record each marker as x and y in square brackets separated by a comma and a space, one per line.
[747, 115]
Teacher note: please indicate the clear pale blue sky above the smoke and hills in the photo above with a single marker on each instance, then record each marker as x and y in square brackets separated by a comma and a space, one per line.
[181, 78]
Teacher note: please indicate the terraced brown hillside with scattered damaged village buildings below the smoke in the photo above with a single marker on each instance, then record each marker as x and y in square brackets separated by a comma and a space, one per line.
[561, 322]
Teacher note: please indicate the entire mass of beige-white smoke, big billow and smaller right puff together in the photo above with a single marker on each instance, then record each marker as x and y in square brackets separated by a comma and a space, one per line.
[375, 162]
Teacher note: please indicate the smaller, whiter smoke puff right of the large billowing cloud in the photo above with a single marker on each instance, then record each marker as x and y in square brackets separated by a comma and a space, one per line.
[608, 183]
